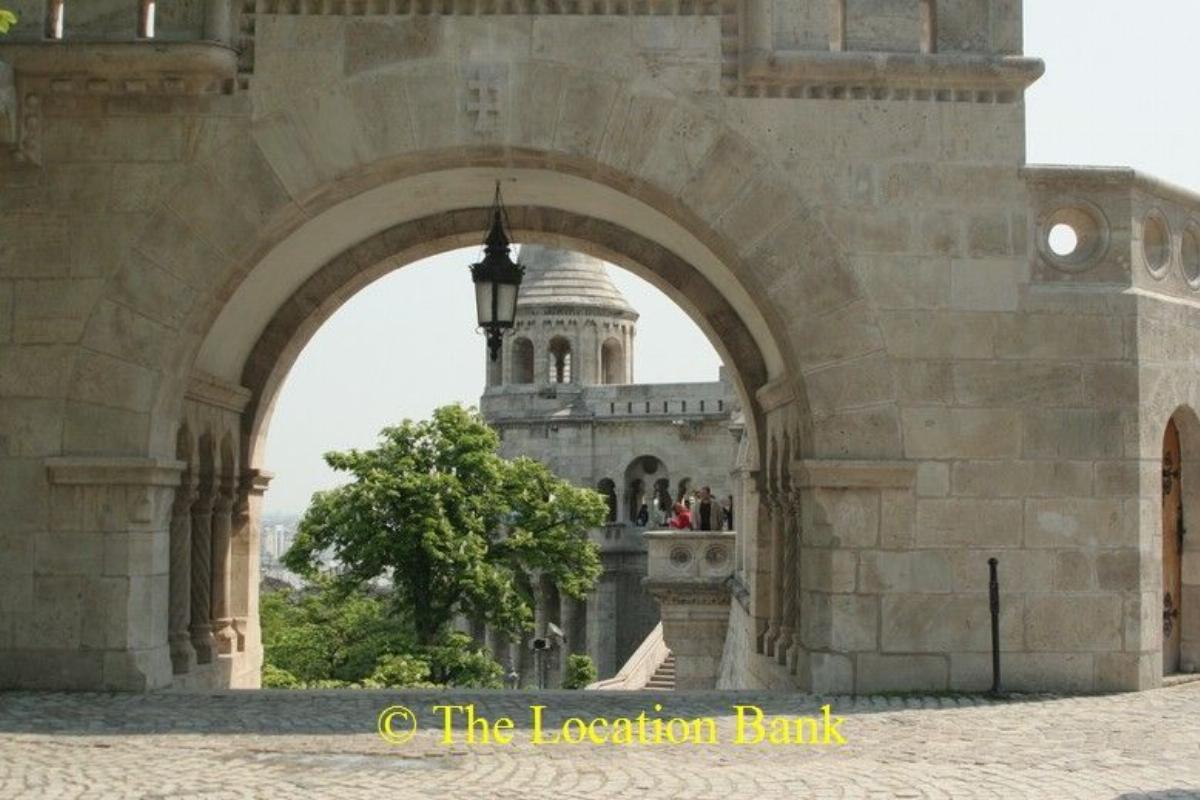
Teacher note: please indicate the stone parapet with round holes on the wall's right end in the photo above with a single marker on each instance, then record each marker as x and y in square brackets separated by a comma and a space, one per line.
[1115, 227]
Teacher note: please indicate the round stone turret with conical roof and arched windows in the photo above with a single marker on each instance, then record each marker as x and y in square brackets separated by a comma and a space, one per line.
[573, 326]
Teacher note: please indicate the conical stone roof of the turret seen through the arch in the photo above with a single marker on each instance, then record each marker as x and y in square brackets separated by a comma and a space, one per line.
[560, 278]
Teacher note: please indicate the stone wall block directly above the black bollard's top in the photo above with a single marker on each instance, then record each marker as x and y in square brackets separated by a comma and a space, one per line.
[971, 524]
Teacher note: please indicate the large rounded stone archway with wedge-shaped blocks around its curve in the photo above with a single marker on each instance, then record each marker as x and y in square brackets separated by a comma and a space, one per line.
[273, 230]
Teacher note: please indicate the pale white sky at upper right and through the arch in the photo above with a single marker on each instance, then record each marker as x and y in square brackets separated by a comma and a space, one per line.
[1119, 91]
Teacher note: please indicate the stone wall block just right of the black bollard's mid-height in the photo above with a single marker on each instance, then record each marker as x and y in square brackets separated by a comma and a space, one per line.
[1066, 623]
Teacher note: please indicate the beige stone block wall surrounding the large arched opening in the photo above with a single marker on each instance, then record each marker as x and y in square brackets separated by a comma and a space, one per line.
[923, 383]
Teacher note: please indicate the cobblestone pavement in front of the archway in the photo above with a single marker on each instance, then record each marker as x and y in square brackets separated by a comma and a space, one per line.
[326, 745]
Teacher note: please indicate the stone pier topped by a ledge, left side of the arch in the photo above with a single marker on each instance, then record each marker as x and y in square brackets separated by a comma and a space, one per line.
[99, 618]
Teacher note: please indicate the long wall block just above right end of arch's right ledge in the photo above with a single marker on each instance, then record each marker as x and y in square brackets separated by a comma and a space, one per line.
[962, 434]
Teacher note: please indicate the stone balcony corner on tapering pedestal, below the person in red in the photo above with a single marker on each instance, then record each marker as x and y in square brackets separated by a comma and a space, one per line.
[691, 575]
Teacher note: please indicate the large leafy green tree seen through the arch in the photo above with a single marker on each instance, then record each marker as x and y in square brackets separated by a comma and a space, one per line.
[455, 527]
